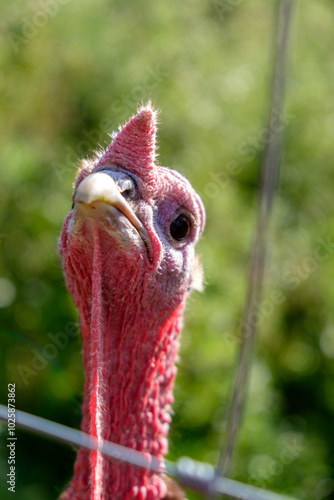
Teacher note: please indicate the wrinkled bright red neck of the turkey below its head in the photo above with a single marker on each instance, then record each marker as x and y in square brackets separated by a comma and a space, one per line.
[130, 346]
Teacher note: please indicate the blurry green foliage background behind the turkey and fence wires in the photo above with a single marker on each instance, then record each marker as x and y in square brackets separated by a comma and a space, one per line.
[72, 71]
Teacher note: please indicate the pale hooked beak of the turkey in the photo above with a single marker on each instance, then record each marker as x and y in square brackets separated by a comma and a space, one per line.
[101, 187]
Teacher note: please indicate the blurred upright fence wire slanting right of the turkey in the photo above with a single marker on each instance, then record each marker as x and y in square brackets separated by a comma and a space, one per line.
[269, 177]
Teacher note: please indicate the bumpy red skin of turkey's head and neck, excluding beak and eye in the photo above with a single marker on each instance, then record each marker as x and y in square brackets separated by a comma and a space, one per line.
[130, 290]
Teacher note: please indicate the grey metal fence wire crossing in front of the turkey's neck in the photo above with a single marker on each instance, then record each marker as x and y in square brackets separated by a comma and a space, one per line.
[197, 476]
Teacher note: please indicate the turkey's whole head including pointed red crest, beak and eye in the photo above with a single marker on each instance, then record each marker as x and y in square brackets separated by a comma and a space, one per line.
[149, 219]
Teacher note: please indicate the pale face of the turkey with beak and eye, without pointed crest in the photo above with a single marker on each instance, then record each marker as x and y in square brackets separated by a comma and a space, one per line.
[156, 230]
